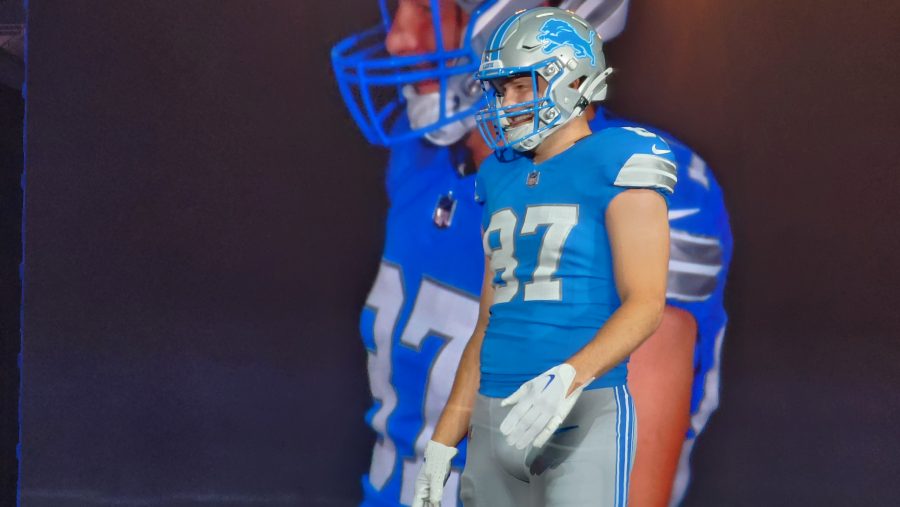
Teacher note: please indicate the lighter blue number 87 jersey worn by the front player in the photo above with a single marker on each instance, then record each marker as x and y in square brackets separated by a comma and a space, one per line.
[545, 233]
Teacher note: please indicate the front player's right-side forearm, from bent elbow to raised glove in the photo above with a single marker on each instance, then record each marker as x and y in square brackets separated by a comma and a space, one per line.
[632, 323]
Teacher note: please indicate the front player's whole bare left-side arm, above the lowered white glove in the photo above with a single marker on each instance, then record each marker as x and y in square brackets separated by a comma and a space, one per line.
[454, 421]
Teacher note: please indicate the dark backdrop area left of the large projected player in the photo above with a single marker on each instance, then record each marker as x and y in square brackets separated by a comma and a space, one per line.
[203, 223]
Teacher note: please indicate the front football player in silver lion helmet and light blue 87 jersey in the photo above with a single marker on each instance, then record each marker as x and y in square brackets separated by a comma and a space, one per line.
[576, 239]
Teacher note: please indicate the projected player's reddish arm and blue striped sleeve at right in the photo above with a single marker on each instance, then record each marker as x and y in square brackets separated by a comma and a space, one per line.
[661, 374]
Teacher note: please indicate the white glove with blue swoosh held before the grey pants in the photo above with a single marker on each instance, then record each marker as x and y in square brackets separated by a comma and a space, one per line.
[541, 405]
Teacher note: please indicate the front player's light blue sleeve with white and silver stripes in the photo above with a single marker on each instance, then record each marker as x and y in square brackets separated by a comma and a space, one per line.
[643, 160]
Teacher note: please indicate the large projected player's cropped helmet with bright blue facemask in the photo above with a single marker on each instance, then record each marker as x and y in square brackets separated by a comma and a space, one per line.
[379, 88]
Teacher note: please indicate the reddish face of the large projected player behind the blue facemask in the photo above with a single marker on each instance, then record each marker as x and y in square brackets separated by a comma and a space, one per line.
[413, 31]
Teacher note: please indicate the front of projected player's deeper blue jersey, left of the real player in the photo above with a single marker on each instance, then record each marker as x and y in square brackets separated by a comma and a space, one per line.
[420, 312]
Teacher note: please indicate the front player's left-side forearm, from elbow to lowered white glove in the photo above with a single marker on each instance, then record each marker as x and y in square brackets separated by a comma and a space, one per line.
[454, 421]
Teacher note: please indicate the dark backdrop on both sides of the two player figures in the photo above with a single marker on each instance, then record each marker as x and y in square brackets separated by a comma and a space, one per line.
[203, 221]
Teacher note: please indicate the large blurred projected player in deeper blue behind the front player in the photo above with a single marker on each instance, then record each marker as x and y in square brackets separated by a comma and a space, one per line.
[408, 83]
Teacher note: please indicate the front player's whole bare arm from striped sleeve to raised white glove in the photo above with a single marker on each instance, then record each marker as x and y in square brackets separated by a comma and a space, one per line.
[638, 227]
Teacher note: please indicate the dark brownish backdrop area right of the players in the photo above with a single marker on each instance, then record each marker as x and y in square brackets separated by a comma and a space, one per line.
[794, 105]
